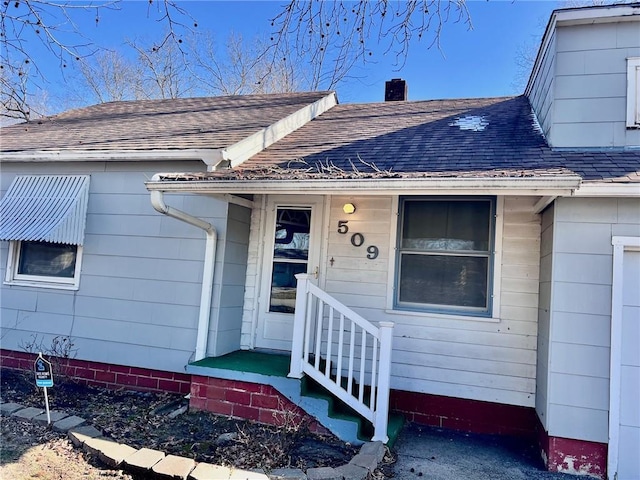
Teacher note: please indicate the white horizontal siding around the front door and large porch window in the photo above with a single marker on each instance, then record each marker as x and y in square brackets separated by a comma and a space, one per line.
[466, 357]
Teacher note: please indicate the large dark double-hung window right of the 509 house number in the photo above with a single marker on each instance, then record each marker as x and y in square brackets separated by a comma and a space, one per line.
[445, 255]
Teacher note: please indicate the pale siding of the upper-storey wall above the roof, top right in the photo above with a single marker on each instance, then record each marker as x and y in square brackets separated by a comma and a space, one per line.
[590, 101]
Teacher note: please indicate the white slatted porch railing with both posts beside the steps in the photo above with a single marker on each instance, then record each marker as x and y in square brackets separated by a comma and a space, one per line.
[338, 348]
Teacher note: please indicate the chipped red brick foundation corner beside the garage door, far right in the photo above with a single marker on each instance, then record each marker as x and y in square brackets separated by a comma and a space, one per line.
[576, 457]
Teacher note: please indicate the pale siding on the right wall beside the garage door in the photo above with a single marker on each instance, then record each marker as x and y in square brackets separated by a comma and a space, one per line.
[575, 332]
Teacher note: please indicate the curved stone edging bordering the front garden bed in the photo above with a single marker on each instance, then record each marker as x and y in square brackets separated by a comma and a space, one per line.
[156, 464]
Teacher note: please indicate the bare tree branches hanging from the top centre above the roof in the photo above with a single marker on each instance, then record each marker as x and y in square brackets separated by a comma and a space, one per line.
[348, 29]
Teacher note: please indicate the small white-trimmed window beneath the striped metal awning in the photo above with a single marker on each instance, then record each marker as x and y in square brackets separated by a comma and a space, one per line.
[44, 264]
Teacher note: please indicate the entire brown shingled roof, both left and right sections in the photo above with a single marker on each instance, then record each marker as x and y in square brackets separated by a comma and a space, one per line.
[492, 137]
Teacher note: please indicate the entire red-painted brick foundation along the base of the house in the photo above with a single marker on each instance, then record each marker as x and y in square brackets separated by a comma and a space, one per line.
[265, 404]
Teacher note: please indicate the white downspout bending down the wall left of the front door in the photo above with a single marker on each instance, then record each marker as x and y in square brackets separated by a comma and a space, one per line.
[157, 200]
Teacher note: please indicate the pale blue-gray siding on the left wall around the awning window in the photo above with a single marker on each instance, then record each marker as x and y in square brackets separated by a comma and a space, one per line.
[139, 296]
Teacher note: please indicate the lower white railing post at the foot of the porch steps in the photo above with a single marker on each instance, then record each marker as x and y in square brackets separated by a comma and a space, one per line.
[381, 418]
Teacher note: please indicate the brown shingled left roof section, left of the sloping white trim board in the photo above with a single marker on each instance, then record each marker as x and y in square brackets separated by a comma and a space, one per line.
[184, 123]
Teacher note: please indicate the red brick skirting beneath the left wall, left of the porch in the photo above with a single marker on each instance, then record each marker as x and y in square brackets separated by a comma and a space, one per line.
[104, 374]
